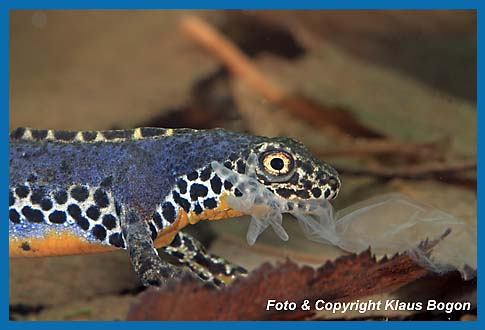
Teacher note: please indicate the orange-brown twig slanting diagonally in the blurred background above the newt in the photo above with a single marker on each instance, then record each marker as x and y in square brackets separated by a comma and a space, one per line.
[242, 66]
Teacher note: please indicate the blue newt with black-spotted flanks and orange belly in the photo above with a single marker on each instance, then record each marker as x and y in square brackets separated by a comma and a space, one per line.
[77, 192]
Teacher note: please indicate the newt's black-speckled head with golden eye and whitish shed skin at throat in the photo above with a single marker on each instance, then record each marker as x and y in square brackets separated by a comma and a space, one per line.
[276, 176]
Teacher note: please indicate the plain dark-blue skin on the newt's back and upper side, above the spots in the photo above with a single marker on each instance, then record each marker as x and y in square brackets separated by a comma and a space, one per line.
[143, 171]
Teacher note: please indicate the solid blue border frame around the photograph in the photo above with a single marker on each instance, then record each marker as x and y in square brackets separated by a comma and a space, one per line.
[6, 5]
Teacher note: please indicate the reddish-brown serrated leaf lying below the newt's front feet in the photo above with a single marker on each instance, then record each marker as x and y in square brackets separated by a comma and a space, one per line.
[347, 278]
